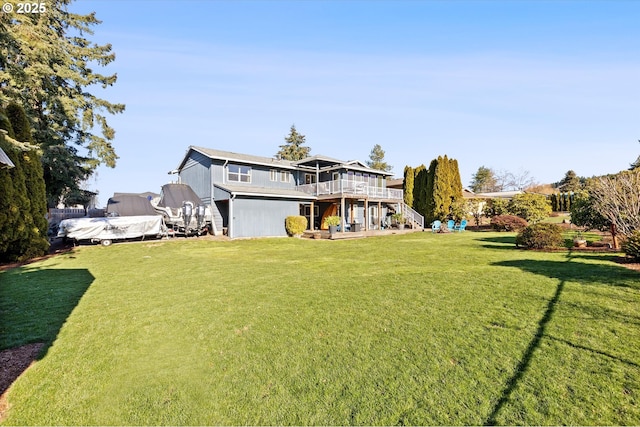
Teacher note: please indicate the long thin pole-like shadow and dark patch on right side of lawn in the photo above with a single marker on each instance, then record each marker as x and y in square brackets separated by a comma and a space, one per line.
[564, 271]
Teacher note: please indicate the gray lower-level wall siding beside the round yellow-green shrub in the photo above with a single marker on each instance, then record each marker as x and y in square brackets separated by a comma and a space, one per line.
[260, 217]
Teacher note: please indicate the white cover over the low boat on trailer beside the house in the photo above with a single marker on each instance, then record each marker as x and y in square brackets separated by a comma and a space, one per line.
[111, 228]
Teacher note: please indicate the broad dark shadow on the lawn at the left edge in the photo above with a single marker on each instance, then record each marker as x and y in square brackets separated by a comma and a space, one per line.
[34, 305]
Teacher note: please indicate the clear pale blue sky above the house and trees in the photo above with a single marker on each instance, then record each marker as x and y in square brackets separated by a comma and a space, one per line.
[538, 86]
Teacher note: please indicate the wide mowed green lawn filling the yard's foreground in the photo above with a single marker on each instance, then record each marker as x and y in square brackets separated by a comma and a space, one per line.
[417, 329]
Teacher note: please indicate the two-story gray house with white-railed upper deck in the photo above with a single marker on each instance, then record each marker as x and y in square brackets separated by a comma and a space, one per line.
[251, 196]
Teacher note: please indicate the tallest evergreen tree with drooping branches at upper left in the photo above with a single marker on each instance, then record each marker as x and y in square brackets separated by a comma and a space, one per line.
[45, 66]
